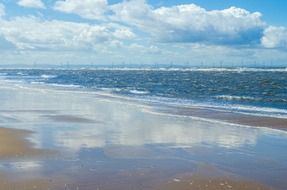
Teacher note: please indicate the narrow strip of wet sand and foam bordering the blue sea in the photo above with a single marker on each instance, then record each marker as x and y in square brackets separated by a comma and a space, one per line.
[195, 112]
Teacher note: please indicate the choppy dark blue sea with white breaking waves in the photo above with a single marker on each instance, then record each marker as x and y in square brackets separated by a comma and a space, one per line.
[257, 91]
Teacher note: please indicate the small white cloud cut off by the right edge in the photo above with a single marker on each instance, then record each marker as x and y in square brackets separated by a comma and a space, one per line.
[275, 37]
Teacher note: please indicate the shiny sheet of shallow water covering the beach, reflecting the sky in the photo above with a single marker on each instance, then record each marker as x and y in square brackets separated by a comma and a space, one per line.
[99, 142]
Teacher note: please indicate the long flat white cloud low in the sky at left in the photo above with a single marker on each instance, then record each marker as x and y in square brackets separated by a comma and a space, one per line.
[34, 33]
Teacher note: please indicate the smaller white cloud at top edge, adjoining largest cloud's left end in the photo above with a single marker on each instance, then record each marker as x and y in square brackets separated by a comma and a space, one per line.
[90, 9]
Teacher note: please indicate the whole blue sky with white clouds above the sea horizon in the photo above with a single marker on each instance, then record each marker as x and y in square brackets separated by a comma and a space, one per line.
[186, 32]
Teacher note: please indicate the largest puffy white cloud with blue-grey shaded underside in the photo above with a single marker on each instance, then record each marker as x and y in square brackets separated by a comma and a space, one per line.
[191, 23]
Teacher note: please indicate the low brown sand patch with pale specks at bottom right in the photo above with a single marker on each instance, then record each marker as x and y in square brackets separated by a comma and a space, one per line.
[207, 177]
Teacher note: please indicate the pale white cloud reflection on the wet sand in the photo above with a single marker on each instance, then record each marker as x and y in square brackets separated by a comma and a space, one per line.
[154, 131]
